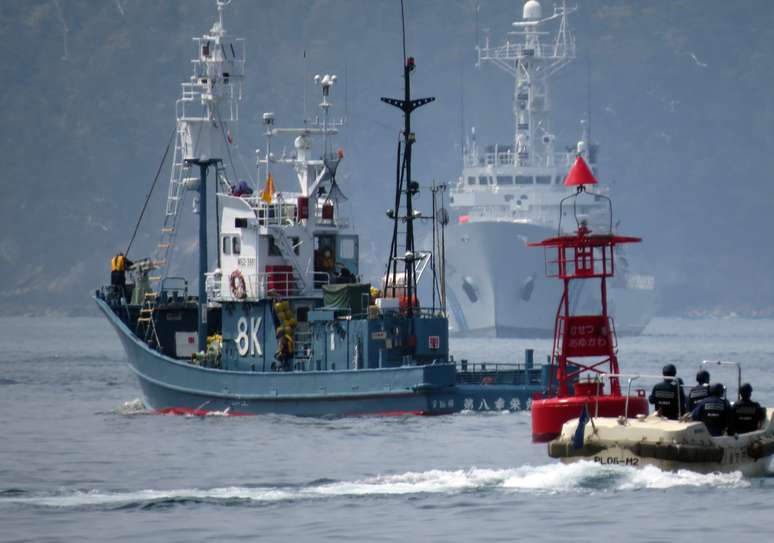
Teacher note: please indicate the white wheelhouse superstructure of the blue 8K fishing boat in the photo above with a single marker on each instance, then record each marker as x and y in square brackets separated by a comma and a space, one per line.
[287, 243]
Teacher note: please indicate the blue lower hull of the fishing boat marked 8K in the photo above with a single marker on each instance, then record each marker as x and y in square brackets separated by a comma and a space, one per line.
[175, 386]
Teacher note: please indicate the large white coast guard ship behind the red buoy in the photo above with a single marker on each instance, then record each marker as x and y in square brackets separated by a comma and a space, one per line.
[509, 195]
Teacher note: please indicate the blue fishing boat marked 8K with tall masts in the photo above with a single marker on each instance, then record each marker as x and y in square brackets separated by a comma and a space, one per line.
[281, 321]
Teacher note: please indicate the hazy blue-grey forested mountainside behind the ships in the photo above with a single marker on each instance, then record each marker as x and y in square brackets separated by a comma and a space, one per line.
[681, 103]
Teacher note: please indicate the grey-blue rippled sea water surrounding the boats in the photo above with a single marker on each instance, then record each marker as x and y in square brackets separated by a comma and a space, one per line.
[81, 459]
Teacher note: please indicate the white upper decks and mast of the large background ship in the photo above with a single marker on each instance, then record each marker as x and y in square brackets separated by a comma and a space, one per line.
[521, 181]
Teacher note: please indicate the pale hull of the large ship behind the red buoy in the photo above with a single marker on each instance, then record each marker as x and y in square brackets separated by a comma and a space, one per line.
[497, 286]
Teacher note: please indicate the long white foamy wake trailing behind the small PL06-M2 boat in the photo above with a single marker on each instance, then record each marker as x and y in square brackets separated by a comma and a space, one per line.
[577, 478]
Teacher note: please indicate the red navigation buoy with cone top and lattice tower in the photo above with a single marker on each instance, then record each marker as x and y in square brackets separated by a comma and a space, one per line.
[584, 363]
